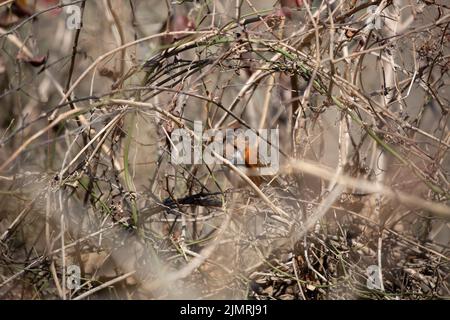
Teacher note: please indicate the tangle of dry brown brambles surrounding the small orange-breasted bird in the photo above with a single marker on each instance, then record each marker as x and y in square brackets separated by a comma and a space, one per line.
[357, 209]
